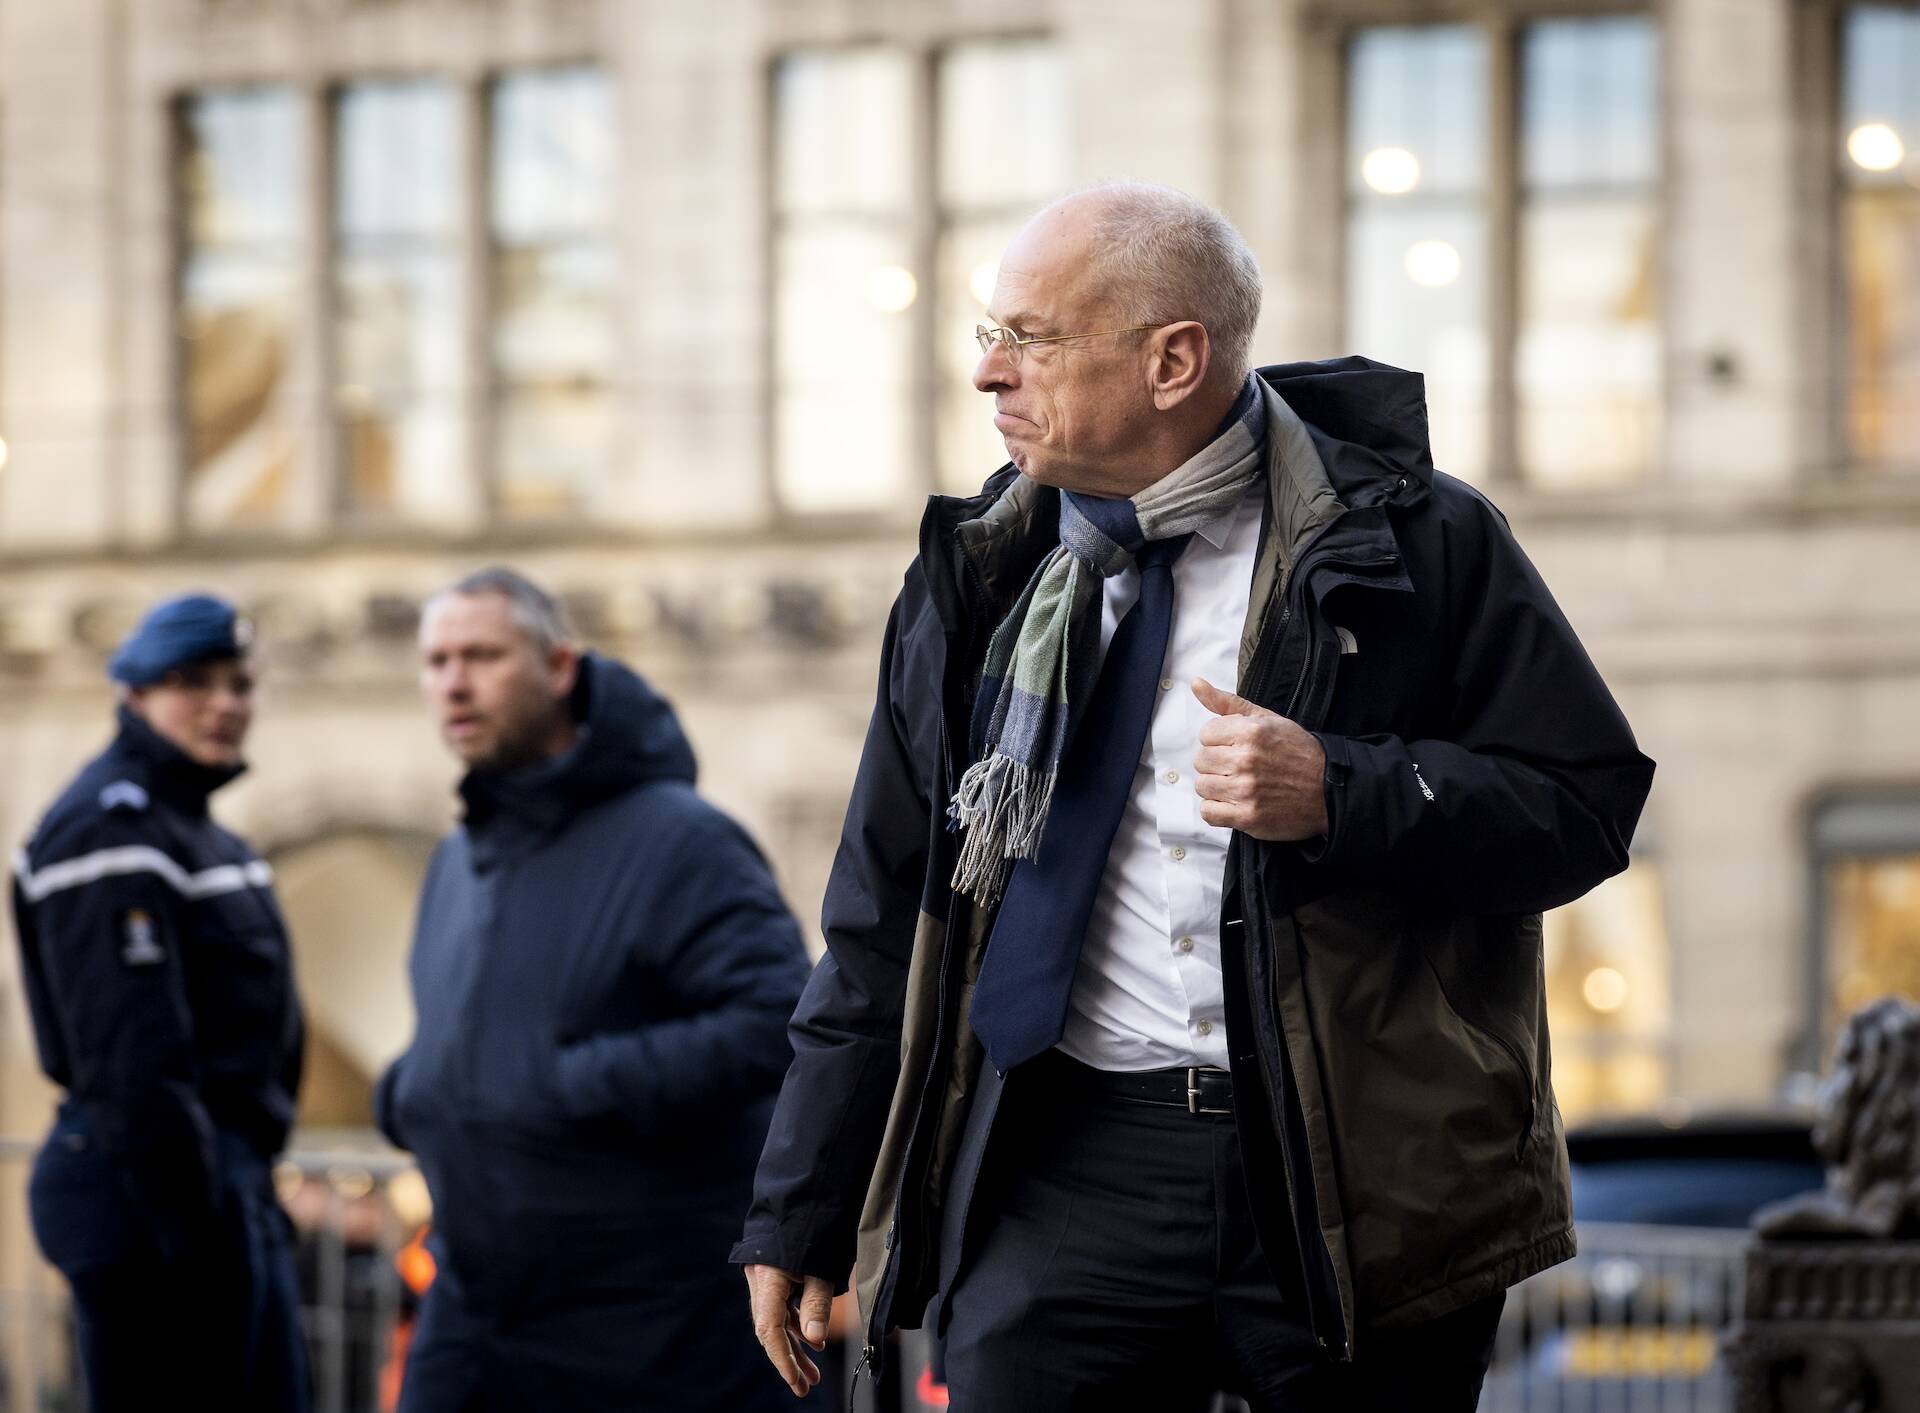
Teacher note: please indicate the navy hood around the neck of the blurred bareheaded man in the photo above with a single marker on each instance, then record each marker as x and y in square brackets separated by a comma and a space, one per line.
[631, 738]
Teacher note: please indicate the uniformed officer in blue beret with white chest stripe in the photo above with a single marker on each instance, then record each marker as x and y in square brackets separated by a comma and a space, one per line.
[162, 995]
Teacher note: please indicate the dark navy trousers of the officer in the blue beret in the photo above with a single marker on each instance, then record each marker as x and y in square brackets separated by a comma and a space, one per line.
[212, 1329]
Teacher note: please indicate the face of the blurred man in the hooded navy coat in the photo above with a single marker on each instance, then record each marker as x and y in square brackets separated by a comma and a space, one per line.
[500, 702]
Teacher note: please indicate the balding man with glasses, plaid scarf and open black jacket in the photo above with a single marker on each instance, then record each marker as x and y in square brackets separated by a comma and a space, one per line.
[1184, 1022]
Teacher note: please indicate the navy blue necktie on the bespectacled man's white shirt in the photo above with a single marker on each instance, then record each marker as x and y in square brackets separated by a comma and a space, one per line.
[1020, 1001]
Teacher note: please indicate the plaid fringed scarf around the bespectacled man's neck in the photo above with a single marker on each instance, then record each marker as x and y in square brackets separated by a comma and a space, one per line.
[1042, 659]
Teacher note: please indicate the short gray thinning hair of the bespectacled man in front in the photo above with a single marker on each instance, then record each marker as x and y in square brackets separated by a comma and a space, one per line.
[1166, 256]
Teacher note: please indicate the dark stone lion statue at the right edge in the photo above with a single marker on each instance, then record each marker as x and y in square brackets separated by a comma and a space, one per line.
[1867, 1132]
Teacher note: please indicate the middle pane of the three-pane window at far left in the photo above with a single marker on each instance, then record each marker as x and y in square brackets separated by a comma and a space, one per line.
[396, 291]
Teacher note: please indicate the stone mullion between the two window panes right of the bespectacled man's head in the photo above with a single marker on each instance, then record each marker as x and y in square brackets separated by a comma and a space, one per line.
[1502, 247]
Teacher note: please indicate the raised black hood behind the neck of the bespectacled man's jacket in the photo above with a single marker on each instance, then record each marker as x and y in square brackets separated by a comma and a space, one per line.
[1368, 423]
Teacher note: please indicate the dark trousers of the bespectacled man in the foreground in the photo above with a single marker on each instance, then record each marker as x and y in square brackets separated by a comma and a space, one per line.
[1111, 1264]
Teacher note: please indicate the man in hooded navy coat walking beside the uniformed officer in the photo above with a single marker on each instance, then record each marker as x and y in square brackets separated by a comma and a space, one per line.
[604, 972]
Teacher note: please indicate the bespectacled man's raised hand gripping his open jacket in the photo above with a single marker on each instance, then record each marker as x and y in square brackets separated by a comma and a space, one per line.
[1259, 773]
